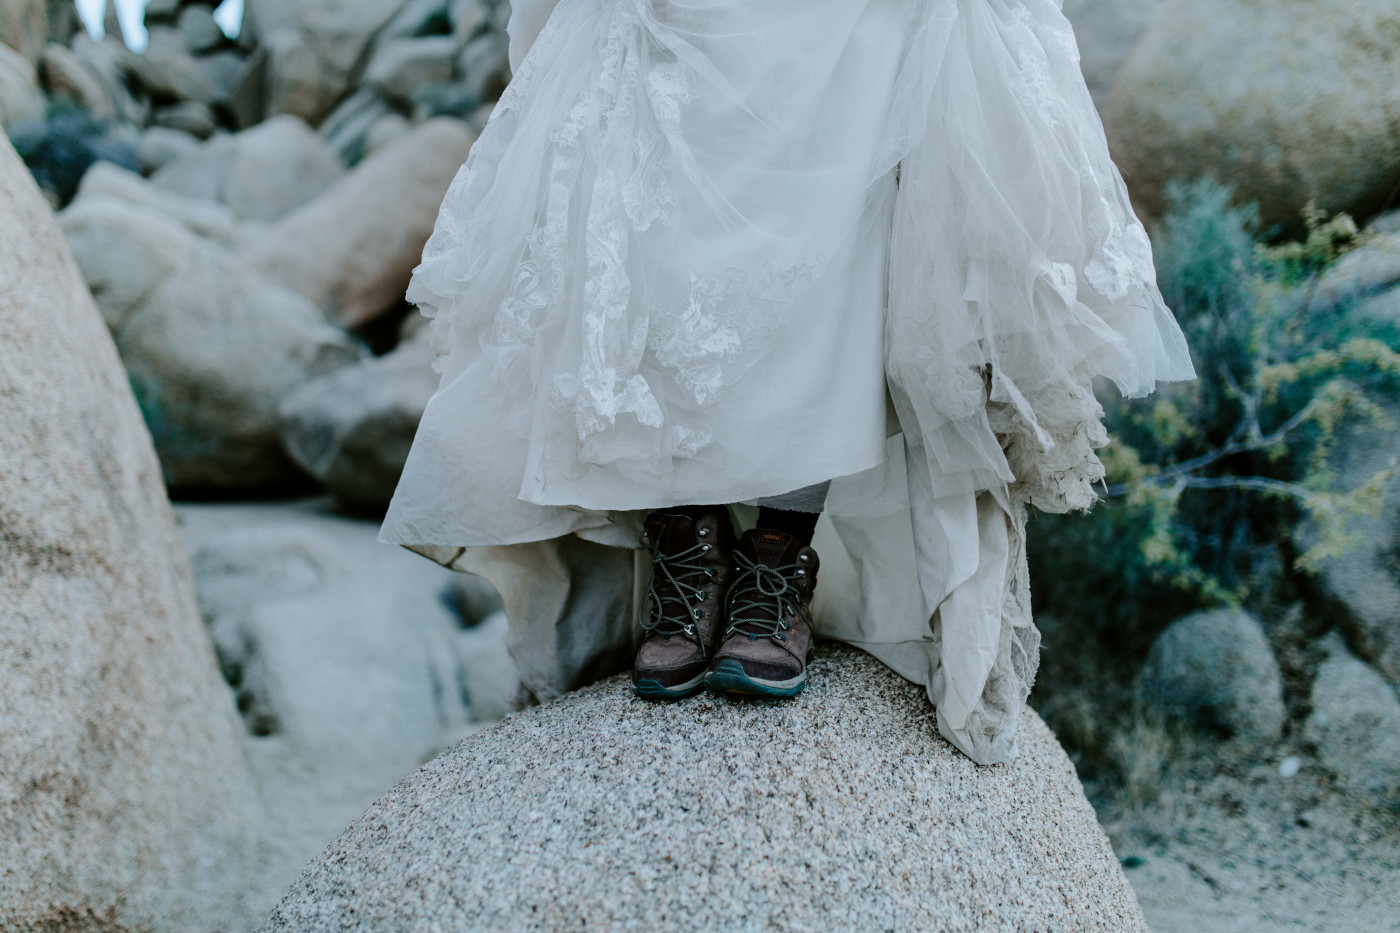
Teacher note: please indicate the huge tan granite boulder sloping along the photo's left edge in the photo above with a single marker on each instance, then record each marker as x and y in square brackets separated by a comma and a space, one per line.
[125, 798]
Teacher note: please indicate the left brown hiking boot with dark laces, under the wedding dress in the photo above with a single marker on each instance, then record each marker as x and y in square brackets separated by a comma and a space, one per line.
[684, 614]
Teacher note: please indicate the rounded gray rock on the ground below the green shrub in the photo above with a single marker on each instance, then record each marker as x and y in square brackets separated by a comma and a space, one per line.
[1217, 669]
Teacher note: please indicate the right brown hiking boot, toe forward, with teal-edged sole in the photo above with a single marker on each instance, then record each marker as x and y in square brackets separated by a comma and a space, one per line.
[769, 633]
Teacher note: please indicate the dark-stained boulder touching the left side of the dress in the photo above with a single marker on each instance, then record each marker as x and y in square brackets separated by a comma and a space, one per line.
[352, 429]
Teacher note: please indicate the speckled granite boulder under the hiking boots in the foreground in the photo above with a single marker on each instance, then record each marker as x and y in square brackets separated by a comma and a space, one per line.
[839, 810]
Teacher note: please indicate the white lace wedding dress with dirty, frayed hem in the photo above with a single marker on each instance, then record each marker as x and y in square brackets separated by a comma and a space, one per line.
[715, 251]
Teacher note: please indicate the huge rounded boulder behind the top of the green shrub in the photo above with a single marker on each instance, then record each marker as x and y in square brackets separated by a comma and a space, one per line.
[1286, 107]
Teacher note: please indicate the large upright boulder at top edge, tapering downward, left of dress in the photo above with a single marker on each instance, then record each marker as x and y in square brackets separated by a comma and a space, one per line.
[316, 51]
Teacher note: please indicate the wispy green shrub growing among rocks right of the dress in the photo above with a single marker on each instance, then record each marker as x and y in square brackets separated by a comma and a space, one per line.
[1209, 481]
